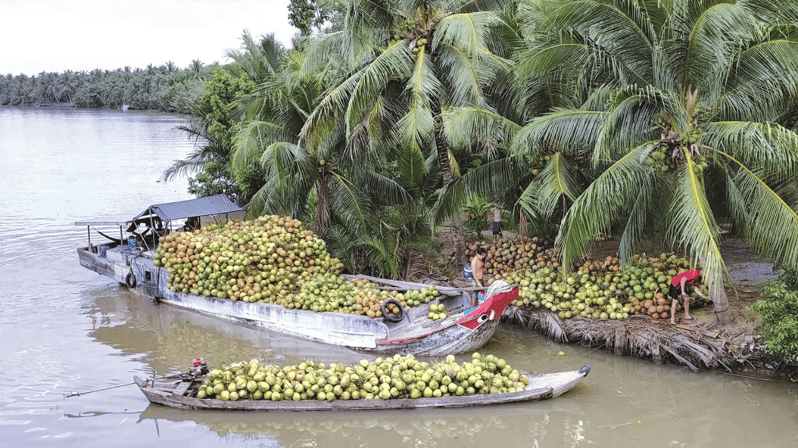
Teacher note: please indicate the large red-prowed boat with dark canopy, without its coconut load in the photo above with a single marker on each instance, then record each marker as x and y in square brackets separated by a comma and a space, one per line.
[130, 261]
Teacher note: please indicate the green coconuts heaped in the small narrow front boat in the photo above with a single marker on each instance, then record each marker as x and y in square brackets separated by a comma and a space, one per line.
[384, 378]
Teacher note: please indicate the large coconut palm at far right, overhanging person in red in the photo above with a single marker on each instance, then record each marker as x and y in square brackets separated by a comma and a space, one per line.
[678, 104]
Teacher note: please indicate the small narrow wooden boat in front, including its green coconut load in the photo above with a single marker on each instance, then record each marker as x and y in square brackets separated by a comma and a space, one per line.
[397, 382]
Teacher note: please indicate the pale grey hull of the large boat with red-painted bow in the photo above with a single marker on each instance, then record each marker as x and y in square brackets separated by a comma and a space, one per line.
[466, 329]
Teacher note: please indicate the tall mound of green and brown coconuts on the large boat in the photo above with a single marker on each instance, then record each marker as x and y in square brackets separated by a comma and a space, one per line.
[272, 259]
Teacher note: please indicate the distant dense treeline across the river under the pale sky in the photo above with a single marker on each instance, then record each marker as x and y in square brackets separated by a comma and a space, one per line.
[166, 88]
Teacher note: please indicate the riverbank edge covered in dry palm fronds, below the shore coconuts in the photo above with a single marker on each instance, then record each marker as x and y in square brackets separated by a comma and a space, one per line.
[701, 344]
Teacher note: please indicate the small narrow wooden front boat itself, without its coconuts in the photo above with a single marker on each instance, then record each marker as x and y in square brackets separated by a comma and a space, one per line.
[181, 393]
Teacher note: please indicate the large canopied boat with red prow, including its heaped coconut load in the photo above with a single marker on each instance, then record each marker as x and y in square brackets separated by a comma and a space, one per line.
[274, 273]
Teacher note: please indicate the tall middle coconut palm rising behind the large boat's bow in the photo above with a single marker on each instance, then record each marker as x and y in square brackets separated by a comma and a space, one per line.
[405, 63]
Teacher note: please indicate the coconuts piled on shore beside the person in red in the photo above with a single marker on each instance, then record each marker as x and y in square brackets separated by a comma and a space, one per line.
[598, 289]
